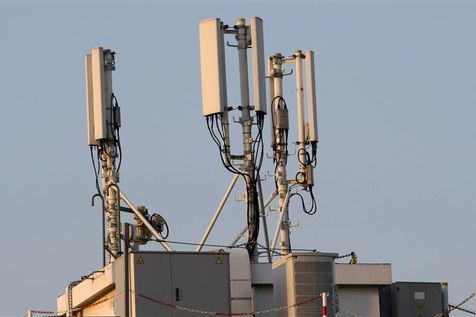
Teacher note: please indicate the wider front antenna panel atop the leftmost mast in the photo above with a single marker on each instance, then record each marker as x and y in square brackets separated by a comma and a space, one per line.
[102, 95]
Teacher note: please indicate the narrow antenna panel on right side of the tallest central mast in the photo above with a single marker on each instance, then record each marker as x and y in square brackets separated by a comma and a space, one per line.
[257, 52]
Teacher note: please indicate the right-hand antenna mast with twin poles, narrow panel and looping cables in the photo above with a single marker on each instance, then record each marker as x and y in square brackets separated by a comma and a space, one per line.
[307, 138]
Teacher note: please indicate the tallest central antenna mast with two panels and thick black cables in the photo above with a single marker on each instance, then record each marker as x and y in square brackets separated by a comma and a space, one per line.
[216, 108]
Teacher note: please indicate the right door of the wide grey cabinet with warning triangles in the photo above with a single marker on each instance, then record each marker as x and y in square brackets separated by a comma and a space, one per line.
[200, 281]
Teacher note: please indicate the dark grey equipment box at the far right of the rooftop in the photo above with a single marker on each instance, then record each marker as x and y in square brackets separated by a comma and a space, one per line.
[411, 299]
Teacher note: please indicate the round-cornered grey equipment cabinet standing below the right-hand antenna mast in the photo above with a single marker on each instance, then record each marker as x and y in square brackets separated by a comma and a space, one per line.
[300, 276]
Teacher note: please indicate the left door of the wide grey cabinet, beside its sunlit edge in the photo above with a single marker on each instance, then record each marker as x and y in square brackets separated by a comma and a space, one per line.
[150, 277]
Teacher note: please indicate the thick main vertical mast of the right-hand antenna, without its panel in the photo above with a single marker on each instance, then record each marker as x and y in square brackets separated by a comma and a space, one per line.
[280, 131]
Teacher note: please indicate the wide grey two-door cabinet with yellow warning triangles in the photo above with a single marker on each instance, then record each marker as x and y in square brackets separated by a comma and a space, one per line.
[191, 280]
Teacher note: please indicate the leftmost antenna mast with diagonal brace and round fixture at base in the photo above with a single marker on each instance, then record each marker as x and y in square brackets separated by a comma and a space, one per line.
[104, 121]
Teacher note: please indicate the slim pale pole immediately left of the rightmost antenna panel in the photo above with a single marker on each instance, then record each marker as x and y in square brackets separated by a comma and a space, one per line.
[298, 57]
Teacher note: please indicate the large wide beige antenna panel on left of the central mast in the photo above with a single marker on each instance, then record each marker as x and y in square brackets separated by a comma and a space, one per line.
[212, 62]
